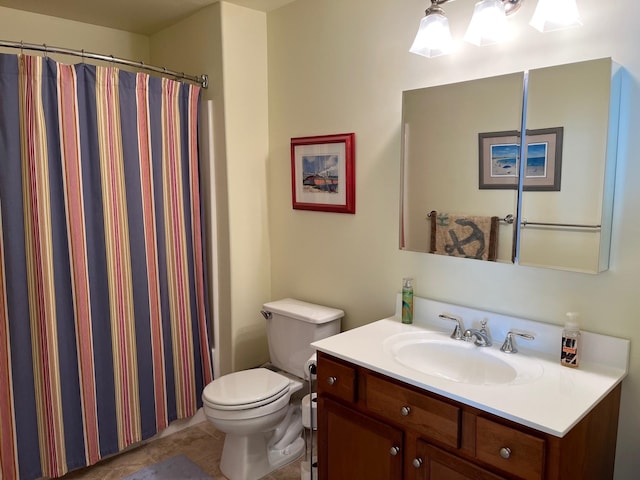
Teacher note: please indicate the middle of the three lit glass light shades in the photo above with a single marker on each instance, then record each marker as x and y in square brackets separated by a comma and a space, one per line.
[488, 24]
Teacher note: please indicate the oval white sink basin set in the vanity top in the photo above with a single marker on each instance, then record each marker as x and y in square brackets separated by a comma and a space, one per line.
[437, 354]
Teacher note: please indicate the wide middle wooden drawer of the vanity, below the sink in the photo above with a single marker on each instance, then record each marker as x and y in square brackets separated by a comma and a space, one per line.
[432, 418]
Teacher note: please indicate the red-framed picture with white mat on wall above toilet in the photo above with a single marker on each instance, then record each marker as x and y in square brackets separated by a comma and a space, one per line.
[323, 173]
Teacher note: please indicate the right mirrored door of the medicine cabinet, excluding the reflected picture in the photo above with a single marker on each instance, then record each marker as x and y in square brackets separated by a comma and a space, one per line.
[583, 98]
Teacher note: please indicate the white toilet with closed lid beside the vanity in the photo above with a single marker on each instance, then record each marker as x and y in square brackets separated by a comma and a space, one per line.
[253, 408]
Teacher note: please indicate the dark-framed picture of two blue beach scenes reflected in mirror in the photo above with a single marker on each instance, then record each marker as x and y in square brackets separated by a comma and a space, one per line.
[499, 155]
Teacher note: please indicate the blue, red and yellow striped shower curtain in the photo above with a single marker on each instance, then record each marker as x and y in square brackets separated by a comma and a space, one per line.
[103, 321]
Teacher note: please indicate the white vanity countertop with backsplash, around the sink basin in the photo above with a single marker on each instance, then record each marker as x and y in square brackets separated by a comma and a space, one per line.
[553, 402]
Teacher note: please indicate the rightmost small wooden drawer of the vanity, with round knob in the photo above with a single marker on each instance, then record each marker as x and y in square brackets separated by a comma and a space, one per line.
[510, 450]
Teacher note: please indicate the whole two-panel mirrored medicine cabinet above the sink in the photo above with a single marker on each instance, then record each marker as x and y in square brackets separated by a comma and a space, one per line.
[460, 156]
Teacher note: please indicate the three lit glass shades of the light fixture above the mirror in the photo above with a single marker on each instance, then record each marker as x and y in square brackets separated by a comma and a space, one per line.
[489, 23]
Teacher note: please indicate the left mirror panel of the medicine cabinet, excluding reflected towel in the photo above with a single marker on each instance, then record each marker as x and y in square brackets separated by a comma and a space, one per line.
[442, 165]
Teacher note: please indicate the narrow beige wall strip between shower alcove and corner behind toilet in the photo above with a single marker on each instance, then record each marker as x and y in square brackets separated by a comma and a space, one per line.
[246, 123]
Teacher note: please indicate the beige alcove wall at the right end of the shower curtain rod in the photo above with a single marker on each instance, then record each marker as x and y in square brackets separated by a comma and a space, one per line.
[194, 45]
